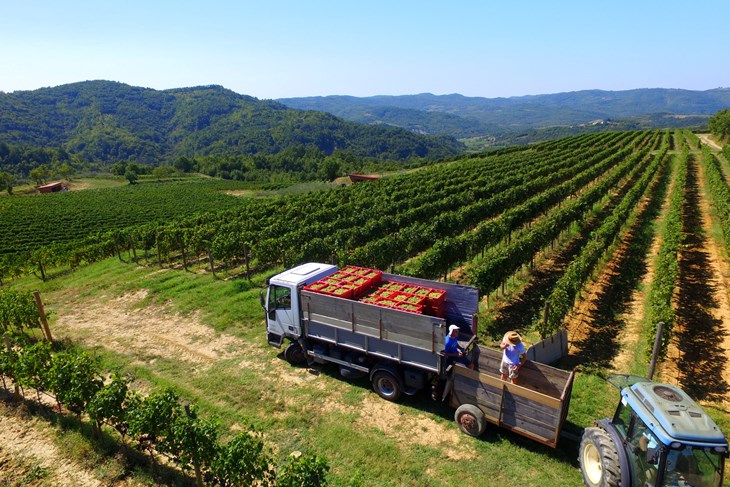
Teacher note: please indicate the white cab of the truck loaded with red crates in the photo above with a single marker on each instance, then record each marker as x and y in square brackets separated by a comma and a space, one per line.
[281, 300]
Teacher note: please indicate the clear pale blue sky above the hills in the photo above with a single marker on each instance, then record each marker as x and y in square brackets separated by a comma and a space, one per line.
[277, 48]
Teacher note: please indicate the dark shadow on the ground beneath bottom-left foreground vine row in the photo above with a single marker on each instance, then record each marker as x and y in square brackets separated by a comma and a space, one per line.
[105, 446]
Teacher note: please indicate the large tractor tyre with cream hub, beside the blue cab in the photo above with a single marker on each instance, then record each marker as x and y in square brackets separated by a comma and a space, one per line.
[598, 459]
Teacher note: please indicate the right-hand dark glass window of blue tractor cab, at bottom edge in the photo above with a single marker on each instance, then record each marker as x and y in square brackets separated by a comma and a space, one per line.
[696, 467]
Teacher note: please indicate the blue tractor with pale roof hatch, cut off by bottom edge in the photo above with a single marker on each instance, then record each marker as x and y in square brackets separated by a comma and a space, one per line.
[658, 437]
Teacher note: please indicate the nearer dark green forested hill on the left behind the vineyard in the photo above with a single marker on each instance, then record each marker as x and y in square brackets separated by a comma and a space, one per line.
[106, 121]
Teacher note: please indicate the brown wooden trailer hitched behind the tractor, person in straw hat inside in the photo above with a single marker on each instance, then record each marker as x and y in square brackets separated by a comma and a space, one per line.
[535, 407]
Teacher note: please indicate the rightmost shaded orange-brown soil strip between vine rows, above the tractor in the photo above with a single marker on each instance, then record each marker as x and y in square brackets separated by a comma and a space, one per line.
[698, 355]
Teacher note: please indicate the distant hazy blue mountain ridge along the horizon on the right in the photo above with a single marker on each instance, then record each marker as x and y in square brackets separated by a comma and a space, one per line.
[463, 116]
